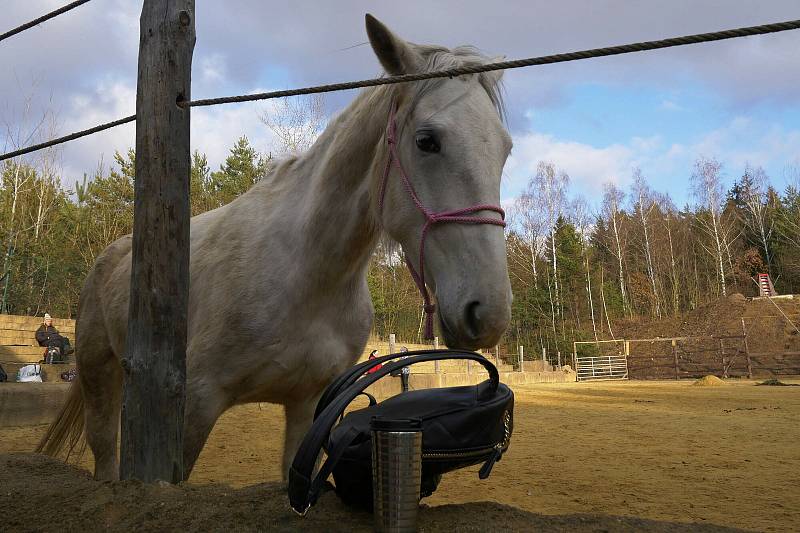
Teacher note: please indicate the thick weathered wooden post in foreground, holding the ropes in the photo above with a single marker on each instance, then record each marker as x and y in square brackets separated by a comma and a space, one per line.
[154, 361]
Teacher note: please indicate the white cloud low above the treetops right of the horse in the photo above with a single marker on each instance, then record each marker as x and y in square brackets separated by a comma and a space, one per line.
[741, 141]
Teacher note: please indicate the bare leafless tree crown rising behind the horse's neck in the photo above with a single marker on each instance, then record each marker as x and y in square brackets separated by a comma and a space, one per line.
[296, 122]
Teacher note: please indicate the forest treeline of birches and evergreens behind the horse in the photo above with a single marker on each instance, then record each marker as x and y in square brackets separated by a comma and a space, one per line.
[576, 269]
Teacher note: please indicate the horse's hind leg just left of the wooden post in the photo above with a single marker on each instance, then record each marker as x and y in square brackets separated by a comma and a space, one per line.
[101, 382]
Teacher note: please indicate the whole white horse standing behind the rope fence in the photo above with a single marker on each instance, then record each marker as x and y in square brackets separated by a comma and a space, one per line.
[278, 302]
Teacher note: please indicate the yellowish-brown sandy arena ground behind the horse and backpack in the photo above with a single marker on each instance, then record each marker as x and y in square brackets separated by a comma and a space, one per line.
[666, 451]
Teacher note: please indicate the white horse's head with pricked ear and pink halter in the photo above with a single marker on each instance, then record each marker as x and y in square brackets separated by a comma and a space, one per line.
[451, 146]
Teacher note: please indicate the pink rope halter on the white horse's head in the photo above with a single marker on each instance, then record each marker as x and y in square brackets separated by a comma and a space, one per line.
[461, 216]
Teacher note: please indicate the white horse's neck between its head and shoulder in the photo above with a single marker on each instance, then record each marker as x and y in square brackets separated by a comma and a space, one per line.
[338, 177]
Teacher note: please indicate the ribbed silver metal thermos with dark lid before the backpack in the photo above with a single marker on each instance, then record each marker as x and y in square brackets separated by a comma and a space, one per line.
[396, 473]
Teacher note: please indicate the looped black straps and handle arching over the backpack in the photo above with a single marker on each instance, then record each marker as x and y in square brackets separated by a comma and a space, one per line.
[303, 491]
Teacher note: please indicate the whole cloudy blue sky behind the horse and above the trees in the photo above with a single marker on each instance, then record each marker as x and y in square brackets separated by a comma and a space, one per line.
[735, 100]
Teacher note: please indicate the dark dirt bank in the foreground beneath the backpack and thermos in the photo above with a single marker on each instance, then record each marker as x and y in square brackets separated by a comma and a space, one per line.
[32, 484]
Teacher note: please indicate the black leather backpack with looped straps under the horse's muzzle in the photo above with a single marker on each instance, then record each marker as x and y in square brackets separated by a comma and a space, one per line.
[461, 426]
